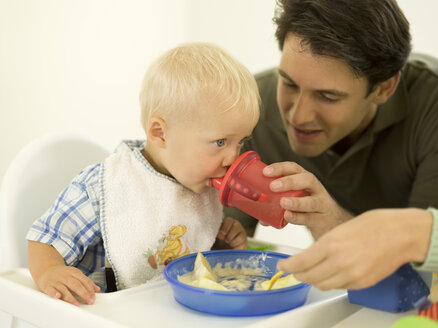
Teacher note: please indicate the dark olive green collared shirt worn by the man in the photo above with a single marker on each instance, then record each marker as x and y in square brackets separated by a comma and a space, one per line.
[394, 164]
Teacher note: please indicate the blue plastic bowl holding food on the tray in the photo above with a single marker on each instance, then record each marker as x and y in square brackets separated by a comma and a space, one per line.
[235, 303]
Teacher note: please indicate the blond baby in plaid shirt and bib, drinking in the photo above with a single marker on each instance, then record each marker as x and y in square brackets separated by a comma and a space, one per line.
[150, 202]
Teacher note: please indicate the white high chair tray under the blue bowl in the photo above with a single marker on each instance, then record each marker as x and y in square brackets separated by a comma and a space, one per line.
[151, 305]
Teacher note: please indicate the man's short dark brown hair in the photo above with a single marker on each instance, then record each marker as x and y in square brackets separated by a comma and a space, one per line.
[371, 36]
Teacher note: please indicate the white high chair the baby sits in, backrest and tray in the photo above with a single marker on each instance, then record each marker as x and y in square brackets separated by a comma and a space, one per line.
[34, 179]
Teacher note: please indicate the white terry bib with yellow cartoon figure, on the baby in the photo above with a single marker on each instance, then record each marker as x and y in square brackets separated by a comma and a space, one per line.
[148, 219]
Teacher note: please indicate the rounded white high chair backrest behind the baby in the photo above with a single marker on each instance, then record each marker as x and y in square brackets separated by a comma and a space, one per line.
[39, 172]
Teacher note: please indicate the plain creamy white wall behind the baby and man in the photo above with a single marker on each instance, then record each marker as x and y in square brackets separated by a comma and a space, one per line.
[76, 66]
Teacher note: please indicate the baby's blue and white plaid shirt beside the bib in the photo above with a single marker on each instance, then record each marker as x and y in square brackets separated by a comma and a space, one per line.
[71, 225]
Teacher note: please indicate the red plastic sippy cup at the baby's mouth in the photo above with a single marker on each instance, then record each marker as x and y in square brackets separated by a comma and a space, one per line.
[244, 186]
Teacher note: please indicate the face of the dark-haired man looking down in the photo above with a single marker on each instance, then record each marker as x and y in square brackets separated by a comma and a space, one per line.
[321, 100]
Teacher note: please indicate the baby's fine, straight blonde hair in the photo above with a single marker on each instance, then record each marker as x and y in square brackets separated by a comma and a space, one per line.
[174, 81]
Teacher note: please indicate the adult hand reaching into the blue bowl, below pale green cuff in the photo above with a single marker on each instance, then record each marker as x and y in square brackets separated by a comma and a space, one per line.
[364, 250]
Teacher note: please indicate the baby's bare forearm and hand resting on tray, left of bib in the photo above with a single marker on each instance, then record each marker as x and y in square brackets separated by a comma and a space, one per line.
[57, 280]
